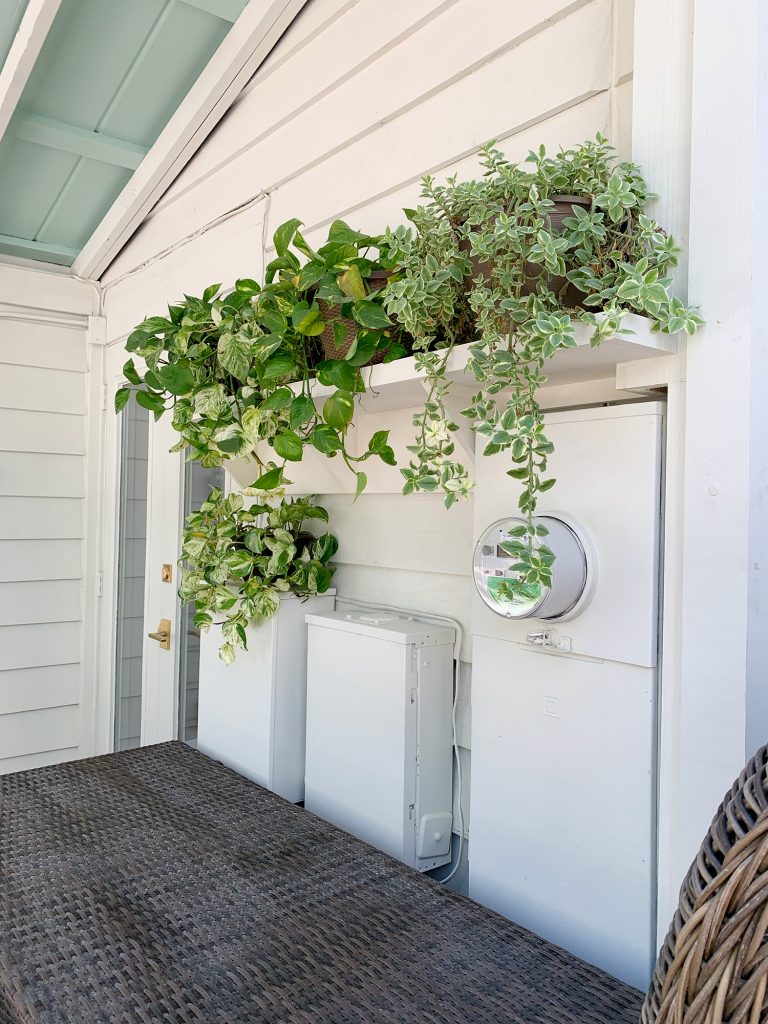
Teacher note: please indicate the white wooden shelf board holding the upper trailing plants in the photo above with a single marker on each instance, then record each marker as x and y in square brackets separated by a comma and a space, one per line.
[400, 385]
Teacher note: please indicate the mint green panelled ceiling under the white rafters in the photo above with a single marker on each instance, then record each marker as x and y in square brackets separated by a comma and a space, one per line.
[110, 76]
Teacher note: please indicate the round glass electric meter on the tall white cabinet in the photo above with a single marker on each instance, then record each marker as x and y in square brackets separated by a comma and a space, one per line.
[573, 576]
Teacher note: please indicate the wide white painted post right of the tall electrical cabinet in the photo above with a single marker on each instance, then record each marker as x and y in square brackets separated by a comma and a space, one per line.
[716, 542]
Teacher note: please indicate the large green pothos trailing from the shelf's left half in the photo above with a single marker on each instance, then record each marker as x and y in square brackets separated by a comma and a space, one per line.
[235, 371]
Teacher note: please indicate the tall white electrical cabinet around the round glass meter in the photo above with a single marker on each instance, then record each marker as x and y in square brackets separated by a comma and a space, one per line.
[565, 710]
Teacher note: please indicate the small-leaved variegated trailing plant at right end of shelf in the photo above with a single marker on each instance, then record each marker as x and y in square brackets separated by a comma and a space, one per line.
[500, 253]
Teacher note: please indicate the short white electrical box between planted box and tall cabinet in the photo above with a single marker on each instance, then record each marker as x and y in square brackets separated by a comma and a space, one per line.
[379, 742]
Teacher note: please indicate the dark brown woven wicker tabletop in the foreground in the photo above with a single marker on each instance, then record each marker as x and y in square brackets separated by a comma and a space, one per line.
[158, 886]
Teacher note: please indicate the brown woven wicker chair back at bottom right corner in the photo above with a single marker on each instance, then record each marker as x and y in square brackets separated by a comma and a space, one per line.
[713, 967]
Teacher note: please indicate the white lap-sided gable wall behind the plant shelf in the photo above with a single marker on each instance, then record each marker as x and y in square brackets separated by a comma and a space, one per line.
[358, 102]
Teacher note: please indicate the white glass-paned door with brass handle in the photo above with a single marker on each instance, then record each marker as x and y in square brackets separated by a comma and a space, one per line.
[143, 634]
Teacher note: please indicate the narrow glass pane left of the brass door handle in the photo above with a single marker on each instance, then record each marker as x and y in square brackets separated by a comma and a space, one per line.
[132, 560]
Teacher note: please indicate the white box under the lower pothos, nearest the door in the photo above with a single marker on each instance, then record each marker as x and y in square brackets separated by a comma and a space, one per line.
[253, 713]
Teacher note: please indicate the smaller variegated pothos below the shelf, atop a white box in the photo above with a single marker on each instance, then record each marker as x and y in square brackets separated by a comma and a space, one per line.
[238, 562]
